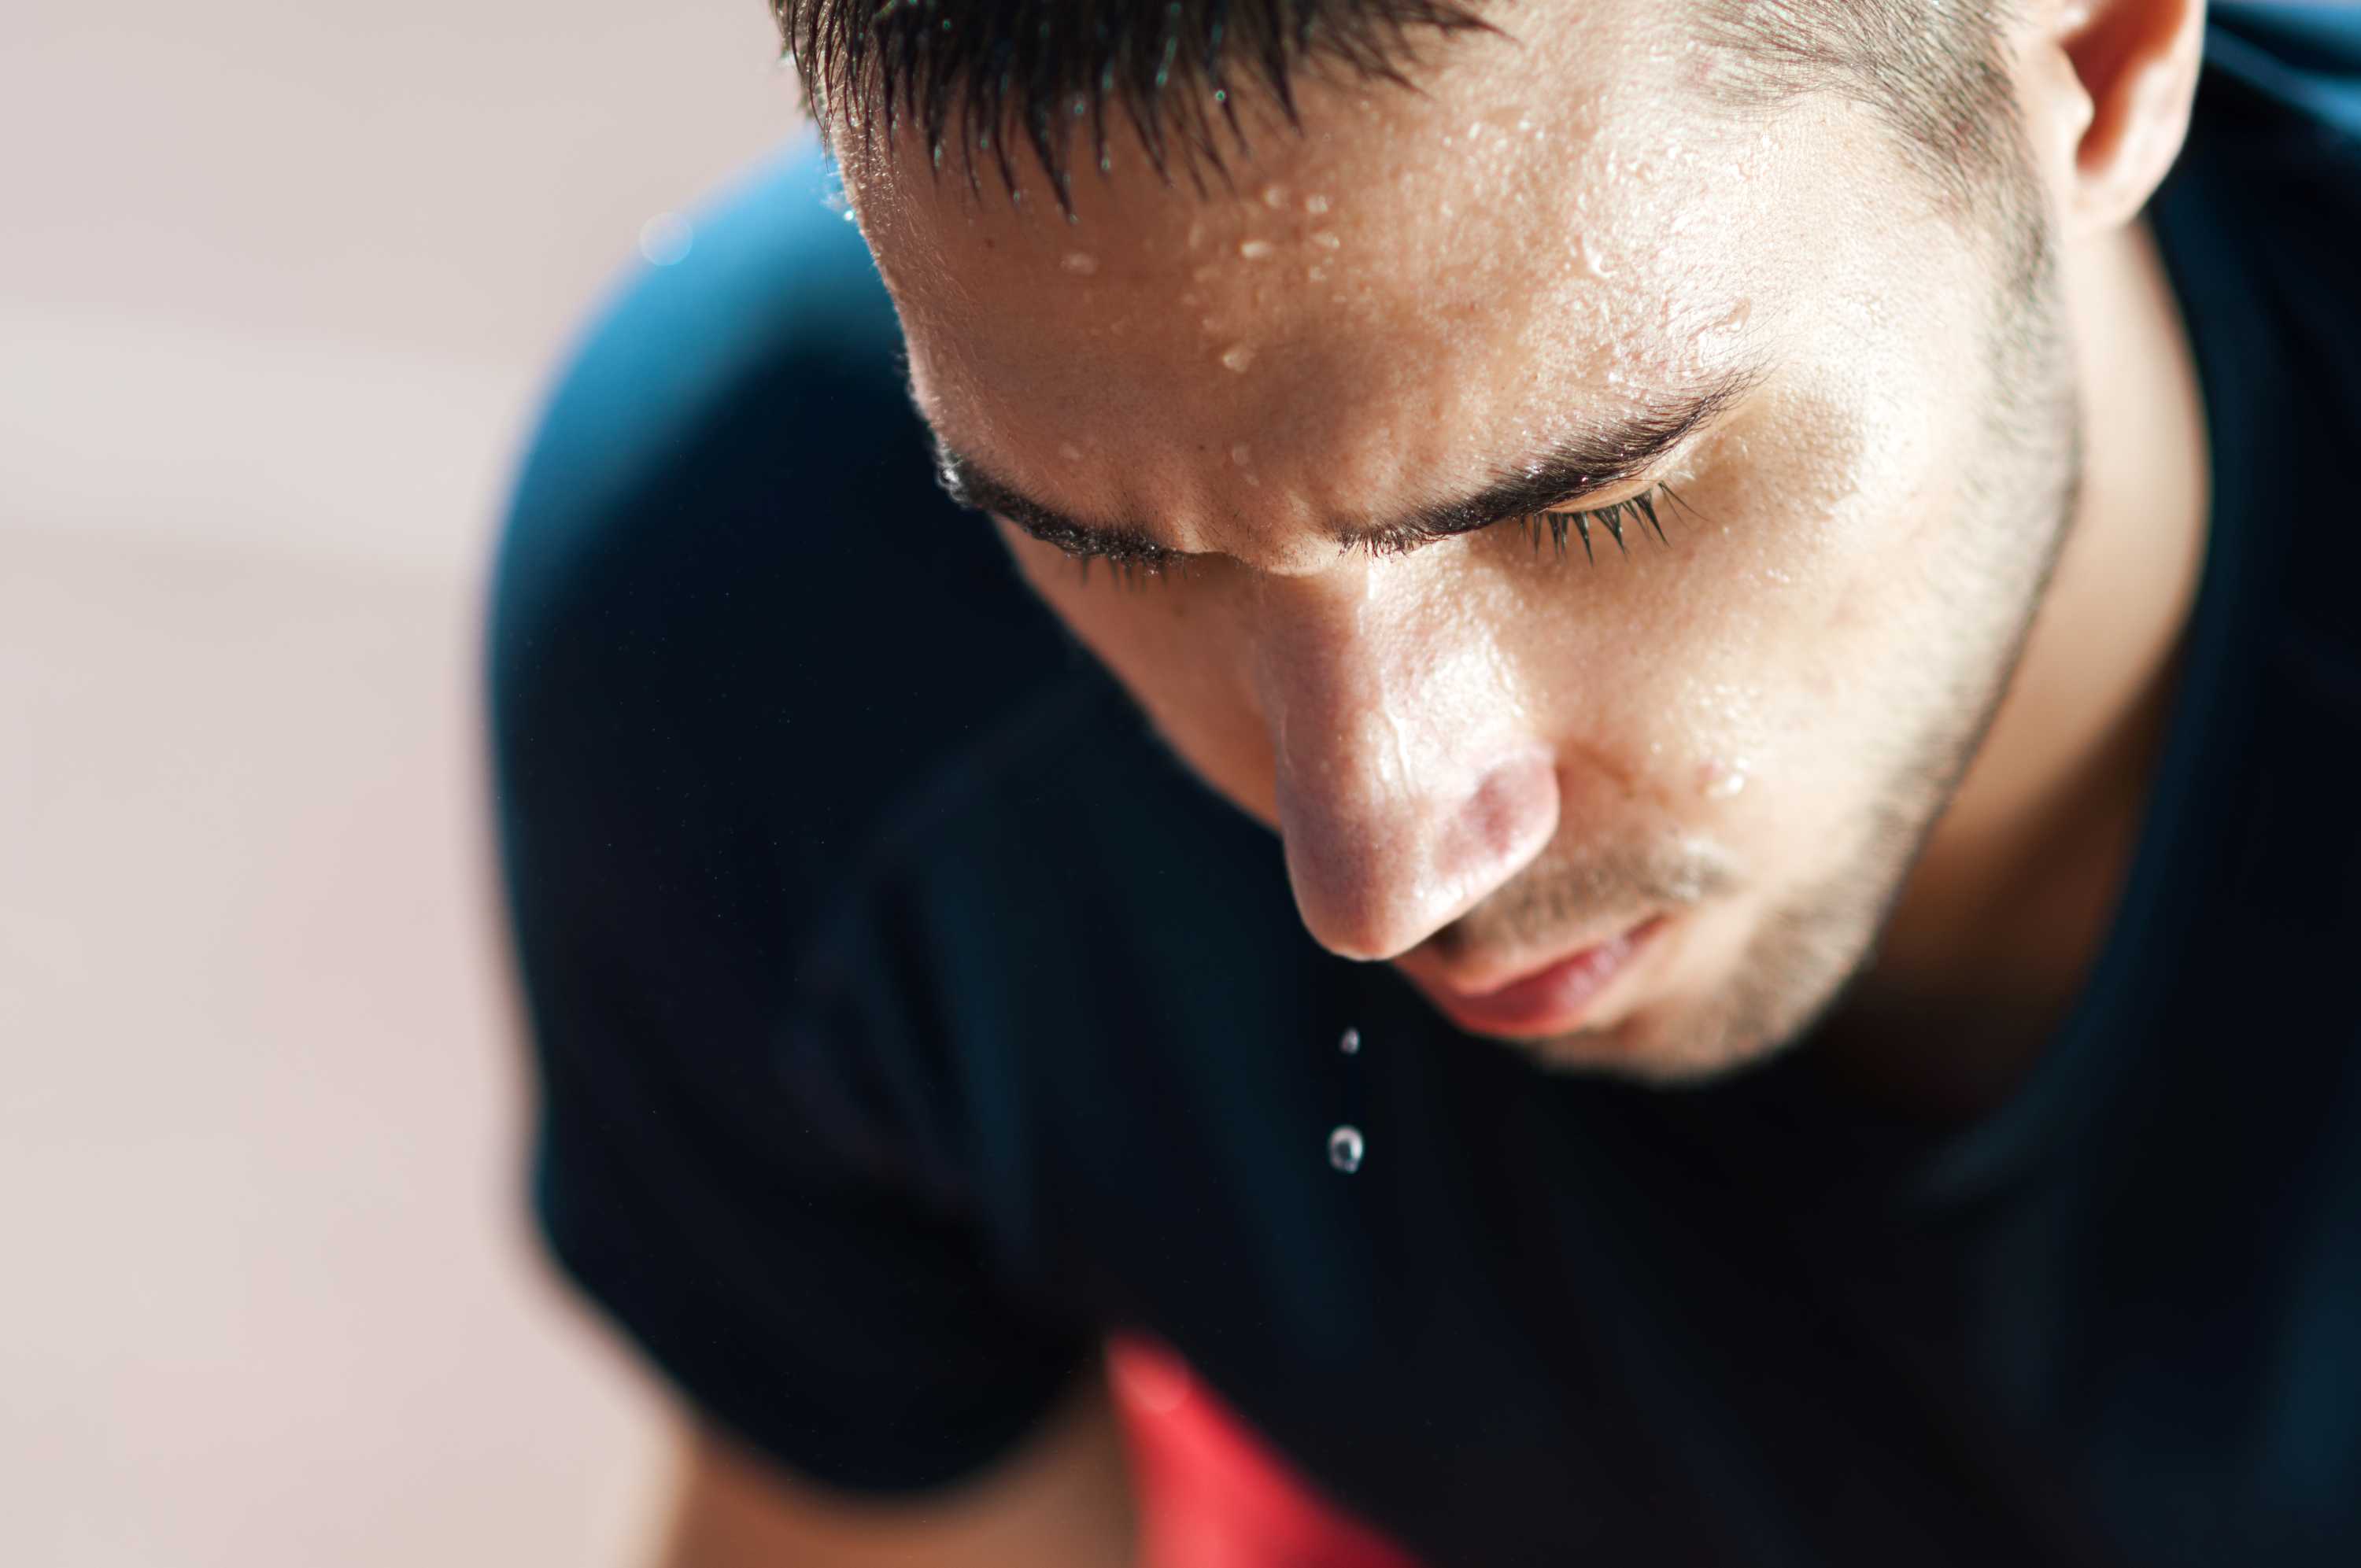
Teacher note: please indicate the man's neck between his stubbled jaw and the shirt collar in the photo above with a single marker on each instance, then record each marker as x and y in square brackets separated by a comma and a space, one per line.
[2008, 908]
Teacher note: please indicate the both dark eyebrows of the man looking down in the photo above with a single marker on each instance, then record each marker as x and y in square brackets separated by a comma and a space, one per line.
[1569, 473]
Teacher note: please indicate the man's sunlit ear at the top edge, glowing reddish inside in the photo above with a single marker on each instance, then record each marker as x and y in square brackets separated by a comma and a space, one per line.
[2119, 77]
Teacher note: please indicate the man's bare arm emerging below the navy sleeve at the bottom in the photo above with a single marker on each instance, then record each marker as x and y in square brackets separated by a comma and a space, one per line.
[1061, 1501]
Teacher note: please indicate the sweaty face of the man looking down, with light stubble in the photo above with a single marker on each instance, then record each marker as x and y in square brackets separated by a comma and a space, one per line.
[1484, 754]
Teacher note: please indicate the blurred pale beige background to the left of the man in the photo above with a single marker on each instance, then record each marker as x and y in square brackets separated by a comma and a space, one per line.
[277, 294]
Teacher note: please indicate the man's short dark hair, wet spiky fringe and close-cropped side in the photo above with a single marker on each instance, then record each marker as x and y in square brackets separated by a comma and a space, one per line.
[974, 74]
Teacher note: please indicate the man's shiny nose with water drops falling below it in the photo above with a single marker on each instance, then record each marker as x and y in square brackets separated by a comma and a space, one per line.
[1408, 785]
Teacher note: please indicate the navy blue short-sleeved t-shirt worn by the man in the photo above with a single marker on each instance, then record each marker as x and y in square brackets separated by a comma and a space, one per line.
[908, 1019]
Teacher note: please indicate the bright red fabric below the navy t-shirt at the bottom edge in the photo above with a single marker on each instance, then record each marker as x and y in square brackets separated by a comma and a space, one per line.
[1212, 1494]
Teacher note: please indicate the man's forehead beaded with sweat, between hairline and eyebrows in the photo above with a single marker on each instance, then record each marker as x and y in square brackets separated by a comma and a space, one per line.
[1531, 237]
